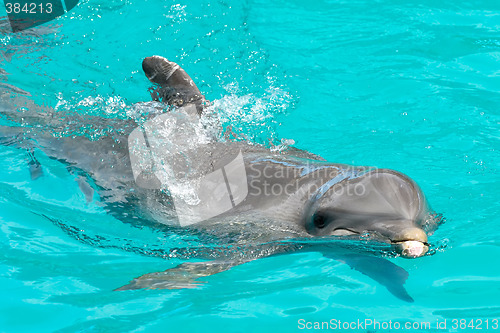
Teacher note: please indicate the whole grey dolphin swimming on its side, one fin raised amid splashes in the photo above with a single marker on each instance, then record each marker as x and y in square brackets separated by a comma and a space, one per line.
[266, 202]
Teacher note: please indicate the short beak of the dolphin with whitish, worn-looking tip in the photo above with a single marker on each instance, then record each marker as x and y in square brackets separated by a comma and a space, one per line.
[411, 243]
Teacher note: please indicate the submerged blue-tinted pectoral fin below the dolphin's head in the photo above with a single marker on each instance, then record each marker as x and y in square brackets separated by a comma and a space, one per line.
[381, 270]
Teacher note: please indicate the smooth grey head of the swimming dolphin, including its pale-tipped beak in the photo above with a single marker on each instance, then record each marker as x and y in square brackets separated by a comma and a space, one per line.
[384, 204]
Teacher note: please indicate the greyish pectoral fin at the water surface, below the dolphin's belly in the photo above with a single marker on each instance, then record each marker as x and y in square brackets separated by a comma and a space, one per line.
[183, 276]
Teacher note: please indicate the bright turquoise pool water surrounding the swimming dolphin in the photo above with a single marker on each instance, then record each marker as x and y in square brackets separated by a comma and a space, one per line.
[411, 86]
